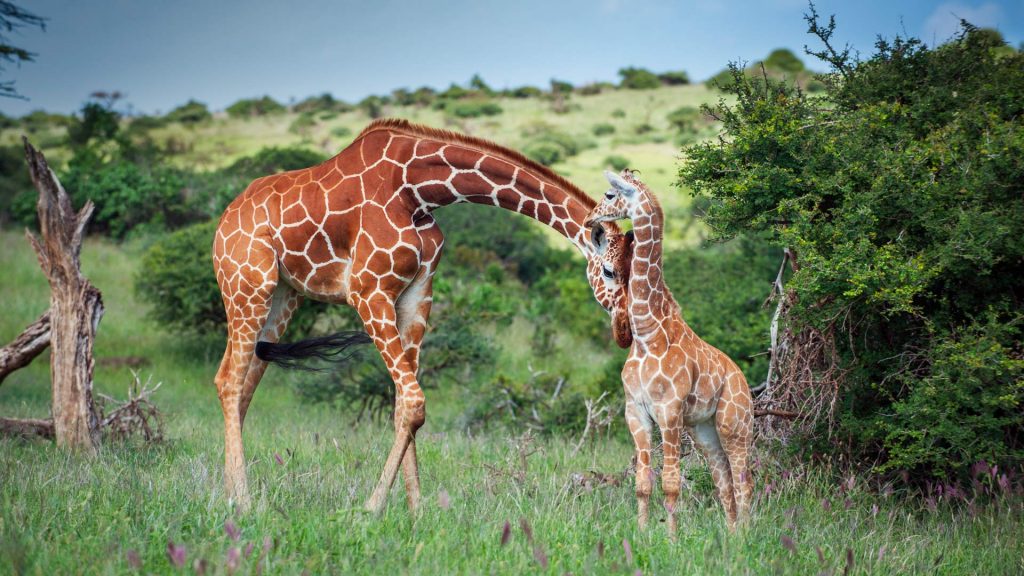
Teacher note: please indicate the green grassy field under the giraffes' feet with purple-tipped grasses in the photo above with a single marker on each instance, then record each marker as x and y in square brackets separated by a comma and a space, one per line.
[312, 468]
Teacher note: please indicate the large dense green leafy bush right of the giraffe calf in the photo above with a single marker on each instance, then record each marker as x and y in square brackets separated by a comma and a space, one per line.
[900, 191]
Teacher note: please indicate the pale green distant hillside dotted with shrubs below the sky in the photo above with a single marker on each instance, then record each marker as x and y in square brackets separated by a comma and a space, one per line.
[579, 131]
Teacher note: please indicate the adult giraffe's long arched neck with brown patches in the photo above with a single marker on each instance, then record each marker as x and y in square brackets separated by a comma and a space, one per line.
[459, 174]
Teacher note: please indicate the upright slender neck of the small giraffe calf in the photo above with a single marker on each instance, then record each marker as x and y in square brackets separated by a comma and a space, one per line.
[651, 301]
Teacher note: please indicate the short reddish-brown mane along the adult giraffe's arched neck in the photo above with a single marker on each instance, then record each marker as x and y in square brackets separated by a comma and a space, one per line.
[483, 145]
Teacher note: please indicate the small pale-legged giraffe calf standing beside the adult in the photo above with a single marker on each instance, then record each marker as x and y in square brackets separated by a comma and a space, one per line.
[672, 378]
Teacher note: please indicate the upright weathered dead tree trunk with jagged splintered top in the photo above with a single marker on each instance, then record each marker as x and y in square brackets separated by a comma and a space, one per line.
[76, 308]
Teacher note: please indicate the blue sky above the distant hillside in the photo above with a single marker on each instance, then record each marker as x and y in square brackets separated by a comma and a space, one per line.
[162, 54]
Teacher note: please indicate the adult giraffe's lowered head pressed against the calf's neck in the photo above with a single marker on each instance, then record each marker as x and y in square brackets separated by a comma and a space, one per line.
[616, 255]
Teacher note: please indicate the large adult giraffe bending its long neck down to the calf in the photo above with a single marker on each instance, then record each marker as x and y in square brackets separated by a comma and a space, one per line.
[358, 229]
